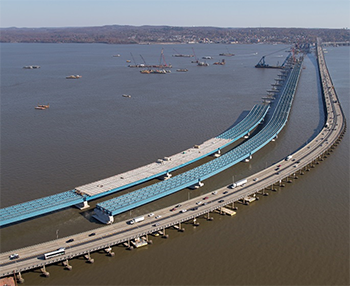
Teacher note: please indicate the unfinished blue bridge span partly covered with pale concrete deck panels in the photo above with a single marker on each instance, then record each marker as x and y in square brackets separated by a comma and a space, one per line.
[122, 181]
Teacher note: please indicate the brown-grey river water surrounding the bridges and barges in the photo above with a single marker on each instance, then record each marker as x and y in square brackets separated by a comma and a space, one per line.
[298, 235]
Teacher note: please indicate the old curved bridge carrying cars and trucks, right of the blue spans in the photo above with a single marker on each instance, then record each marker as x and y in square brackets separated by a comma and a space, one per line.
[307, 156]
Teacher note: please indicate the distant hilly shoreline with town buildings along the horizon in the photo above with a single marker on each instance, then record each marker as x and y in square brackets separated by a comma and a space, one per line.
[117, 34]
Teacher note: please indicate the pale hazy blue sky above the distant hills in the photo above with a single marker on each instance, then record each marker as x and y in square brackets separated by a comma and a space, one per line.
[218, 13]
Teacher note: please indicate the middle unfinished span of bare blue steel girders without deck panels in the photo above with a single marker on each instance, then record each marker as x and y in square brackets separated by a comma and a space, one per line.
[106, 210]
